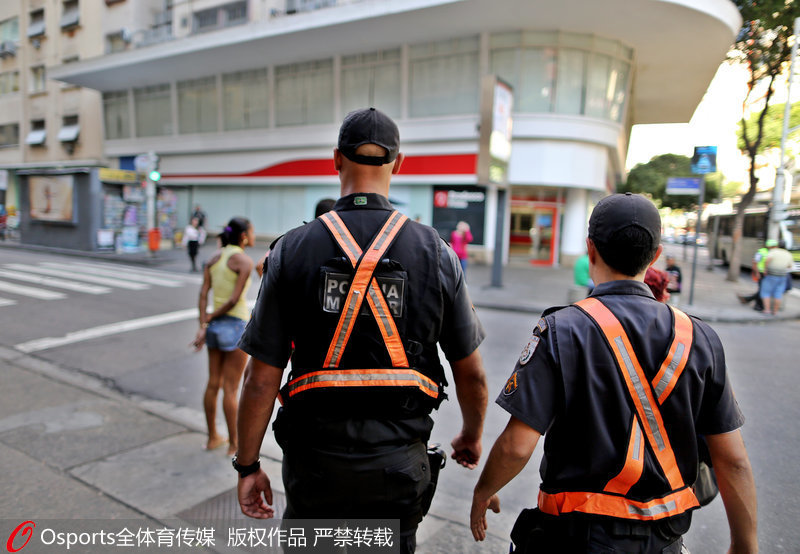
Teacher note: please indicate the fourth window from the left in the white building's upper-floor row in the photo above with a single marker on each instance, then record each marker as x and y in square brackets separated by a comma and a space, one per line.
[245, 100]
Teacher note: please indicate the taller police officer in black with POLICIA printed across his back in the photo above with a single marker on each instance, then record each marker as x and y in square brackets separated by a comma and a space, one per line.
[359, 299]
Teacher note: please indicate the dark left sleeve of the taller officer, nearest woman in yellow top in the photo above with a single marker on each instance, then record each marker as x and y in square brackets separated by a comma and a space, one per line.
[265, 337]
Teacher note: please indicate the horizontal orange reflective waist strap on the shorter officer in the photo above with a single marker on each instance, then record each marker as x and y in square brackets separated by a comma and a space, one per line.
[611, 505]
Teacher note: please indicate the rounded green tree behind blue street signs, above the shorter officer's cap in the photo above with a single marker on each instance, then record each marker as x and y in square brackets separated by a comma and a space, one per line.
[651, 179]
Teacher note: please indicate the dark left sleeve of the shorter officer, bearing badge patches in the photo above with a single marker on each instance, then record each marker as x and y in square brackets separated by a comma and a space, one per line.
[532, 392]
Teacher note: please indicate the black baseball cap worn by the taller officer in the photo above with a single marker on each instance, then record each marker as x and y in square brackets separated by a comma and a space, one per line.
[369, 126]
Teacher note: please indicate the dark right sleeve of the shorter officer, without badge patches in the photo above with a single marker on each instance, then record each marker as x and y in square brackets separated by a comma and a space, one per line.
[719, 412]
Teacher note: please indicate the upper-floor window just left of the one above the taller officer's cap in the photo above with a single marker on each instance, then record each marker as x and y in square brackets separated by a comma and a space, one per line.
[304, 93]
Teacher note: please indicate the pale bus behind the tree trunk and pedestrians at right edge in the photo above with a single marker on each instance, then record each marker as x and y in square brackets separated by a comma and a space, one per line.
[754, 233]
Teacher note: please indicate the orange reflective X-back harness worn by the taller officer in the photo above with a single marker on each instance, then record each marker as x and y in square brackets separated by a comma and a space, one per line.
[364, 285]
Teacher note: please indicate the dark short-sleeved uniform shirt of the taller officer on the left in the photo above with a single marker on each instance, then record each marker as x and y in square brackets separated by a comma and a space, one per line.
[279, 321]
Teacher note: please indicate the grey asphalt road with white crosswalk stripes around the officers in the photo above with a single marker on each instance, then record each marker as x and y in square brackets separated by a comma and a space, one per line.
[150, 356]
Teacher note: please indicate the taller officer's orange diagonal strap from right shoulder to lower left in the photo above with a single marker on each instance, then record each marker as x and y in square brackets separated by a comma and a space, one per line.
[358, 287]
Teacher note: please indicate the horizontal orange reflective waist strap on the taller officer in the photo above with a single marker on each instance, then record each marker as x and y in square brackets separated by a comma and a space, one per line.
[363, 378]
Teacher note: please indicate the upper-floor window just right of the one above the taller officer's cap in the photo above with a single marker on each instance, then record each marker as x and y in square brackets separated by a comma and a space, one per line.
[444, 77]
